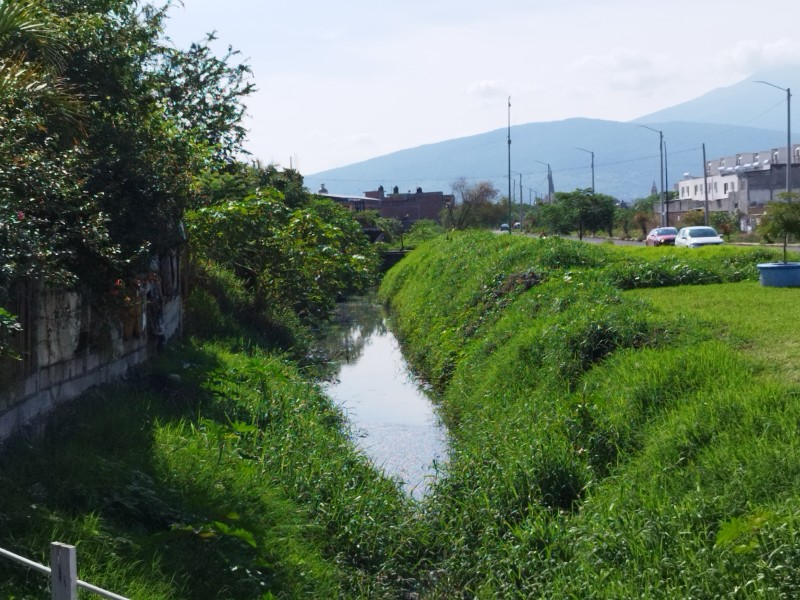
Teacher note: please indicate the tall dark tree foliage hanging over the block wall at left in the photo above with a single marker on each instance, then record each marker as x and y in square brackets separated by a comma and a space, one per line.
[107, 130]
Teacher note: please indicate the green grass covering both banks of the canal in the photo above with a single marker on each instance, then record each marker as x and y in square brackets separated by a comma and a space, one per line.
[624, 425]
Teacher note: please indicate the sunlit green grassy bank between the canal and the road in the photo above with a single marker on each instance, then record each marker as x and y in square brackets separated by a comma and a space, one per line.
[606, 443]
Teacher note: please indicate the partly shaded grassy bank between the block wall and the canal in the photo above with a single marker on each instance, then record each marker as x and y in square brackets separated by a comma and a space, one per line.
[235, 481]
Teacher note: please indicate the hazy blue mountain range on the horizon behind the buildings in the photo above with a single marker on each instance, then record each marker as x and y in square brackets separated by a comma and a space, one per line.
[626, 155]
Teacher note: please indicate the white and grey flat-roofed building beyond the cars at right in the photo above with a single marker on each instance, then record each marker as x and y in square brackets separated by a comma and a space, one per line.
[741, 184]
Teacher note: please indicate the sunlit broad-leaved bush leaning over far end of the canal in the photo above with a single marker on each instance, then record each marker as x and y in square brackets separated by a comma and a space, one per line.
[301, 257]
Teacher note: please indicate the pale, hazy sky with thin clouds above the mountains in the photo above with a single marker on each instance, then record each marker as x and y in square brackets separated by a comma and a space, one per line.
[341, 82]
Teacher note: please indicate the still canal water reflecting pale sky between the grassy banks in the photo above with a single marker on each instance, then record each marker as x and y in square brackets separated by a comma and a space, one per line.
[391, 417]
